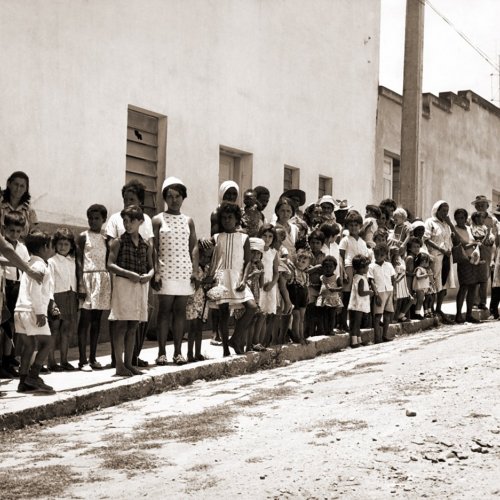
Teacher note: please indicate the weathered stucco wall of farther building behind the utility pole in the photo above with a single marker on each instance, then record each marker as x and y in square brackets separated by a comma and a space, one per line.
[460, 149]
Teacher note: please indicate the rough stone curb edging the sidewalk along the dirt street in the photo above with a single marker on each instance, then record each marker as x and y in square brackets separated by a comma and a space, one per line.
[88, 399]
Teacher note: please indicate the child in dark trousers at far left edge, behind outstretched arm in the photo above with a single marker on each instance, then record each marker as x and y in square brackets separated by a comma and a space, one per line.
[14, 226]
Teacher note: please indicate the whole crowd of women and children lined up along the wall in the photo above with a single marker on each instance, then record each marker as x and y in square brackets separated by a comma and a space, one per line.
[315, 269]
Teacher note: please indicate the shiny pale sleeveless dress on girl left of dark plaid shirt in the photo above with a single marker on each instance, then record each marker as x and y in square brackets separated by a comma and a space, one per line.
[96, 279]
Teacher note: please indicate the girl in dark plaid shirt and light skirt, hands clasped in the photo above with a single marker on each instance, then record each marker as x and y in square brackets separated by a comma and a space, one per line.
[131, 260]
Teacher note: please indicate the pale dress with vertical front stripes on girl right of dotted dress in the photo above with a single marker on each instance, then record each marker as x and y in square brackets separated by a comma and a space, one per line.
[229, 259]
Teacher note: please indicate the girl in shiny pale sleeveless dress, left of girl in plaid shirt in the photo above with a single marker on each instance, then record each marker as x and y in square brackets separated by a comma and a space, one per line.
[94, 284]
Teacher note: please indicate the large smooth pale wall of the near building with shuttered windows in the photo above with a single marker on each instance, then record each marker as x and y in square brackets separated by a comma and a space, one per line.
[292, 82]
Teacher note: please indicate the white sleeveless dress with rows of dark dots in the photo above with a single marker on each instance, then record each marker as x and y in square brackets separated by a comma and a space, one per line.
[175, 260]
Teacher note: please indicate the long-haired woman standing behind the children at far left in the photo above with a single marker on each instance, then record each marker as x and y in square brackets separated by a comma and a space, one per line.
[16, 197]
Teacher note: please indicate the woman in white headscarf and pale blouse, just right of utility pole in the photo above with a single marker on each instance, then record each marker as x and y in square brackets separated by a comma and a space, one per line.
[437, 237]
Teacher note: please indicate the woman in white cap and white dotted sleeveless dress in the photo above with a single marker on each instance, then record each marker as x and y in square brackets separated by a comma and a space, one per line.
[177, 263]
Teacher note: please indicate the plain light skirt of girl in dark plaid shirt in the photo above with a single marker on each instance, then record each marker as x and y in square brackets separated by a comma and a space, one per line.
[129, 301]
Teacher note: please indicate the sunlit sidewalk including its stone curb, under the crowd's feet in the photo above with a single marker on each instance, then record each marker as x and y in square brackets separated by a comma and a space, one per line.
[79, 392]
